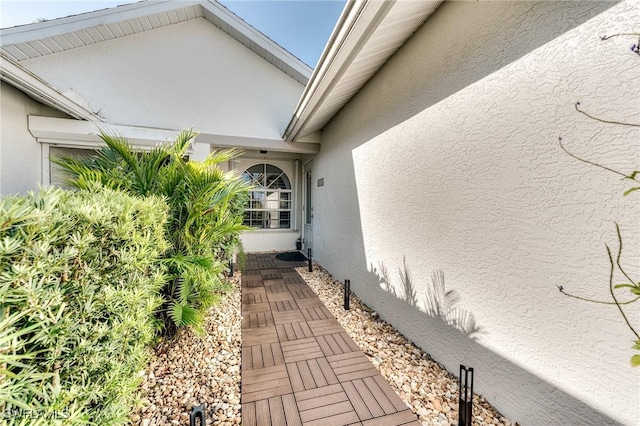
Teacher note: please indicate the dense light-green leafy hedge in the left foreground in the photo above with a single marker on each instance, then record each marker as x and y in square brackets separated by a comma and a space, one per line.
[79, 284]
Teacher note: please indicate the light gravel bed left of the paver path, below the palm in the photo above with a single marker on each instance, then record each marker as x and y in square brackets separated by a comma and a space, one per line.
[191, 370]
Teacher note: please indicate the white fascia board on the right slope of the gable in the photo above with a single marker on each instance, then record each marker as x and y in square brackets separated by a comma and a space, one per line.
[257, 37]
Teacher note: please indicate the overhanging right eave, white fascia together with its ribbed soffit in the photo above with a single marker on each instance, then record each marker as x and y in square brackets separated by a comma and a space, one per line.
[368, 33]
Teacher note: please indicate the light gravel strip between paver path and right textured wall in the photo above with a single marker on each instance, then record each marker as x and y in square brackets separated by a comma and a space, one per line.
[427, 388]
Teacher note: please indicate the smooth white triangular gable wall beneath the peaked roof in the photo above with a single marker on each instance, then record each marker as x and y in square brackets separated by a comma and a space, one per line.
[187, 74]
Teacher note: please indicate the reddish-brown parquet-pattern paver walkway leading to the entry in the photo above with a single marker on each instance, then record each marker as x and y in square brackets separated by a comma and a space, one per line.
[299, 366]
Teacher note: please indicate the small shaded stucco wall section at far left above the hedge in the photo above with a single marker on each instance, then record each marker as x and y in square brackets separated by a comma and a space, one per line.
[20, 153]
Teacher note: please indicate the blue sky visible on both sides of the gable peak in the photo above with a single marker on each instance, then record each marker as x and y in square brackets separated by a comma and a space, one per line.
[300, 26]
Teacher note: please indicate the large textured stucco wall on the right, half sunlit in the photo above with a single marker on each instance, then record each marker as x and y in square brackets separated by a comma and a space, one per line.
[448, 160]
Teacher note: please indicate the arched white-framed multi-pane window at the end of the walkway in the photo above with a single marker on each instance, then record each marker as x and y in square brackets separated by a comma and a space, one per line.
[269, 205]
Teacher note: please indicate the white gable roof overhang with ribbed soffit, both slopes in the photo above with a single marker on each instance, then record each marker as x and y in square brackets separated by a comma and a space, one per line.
[44, 38]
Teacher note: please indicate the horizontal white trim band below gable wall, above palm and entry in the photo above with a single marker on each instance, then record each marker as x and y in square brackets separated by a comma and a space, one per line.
[67, 132]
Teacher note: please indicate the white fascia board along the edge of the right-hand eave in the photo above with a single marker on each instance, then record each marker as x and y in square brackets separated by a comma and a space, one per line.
[357, 23]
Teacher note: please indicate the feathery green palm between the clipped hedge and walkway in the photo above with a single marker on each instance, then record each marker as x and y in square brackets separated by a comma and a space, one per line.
[206, 207]
